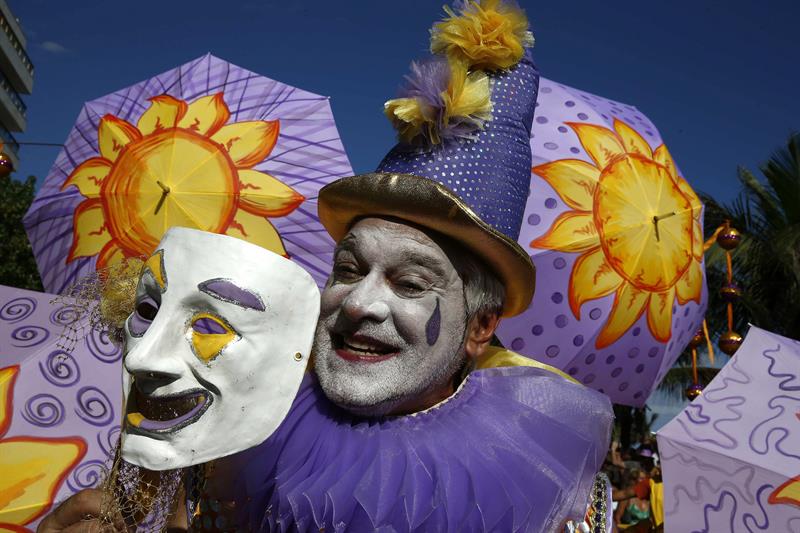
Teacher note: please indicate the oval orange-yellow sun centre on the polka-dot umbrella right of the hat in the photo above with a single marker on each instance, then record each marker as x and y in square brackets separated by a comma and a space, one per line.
[644, 225]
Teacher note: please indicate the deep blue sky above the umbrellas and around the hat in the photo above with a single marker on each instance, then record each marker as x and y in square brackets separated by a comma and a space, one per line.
[719, 79]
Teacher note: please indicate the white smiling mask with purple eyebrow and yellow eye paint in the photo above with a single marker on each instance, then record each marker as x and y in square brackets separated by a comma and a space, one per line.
[215, 350]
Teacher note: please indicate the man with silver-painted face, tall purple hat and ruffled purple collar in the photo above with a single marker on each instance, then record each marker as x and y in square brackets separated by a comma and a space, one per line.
[420, 424]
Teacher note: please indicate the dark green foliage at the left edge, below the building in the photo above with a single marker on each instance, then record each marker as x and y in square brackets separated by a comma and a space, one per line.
[17, 266]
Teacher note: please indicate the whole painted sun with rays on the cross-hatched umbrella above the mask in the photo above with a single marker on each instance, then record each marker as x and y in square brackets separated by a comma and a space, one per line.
[181, 165]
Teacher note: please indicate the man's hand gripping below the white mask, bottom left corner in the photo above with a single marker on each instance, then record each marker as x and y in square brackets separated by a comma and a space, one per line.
[78, 513]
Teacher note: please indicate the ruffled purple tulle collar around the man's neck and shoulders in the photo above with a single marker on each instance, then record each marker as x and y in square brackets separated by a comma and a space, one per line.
[515, 449]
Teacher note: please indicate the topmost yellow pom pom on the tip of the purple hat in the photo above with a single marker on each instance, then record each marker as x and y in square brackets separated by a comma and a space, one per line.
[489, 35]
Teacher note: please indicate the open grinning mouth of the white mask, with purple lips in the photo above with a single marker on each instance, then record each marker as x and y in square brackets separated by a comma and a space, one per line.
[154, 415]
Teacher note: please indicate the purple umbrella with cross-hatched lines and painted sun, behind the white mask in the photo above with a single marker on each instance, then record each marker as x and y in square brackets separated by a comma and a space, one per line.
[207, 145]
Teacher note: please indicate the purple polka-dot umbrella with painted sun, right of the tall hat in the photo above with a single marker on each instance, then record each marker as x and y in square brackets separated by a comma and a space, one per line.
[616, 236]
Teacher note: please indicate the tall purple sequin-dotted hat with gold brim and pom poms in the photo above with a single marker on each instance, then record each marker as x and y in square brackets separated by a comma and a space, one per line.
[463, 162]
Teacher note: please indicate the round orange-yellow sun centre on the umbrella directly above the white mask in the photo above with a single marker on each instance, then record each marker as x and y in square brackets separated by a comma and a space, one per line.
[149, 189]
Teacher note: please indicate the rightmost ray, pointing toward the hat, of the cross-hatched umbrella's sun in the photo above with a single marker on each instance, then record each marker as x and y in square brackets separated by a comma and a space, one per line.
[262, 194]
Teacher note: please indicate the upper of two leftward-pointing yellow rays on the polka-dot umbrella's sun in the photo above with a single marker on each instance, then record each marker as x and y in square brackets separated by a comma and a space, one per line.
[574, 180]
